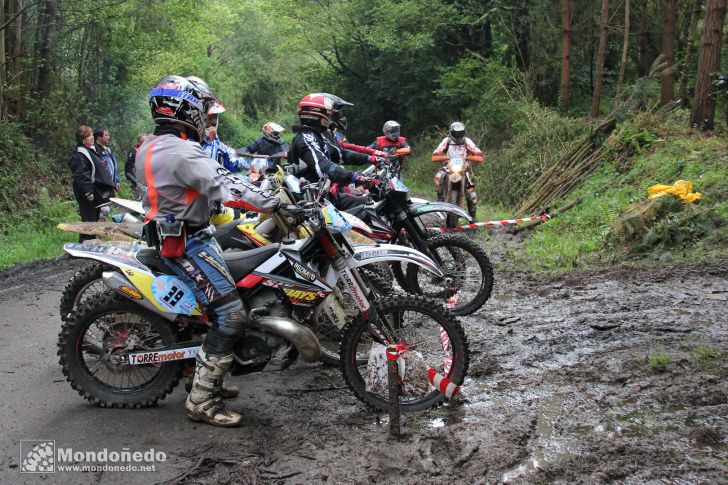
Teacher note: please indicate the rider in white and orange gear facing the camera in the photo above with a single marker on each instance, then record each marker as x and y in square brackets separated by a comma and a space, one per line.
[457, 144]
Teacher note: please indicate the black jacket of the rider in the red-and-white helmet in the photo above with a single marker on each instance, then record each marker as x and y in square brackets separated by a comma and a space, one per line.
[313, 157]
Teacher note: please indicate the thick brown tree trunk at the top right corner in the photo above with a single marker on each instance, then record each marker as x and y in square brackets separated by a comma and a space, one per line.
[703, 114]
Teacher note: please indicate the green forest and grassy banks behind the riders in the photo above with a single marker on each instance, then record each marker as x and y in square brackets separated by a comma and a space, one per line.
[533, 81]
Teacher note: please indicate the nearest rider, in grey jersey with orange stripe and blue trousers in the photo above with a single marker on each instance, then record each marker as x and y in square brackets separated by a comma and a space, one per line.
[183, 187]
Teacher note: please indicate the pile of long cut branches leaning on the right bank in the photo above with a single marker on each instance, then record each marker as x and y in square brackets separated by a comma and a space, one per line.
[570, 171]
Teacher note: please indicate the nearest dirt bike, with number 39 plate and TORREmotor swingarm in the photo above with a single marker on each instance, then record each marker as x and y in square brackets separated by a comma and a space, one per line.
[126, 347]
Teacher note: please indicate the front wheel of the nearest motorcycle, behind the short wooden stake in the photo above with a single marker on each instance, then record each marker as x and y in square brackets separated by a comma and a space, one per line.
[432, 339]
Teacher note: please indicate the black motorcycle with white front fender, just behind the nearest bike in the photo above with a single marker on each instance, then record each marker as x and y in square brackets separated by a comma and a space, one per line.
[467, 282]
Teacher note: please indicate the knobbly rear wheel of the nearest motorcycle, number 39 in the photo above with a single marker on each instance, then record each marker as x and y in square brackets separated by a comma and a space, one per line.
[102, 326]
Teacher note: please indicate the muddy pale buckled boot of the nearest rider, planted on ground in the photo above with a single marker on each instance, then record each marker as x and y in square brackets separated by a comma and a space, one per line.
[204, 403]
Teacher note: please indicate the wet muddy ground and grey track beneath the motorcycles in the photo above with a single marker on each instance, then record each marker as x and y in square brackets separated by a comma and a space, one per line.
[588, 377]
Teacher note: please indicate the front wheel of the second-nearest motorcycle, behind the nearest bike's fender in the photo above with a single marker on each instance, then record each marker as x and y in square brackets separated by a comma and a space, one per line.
[468, 275]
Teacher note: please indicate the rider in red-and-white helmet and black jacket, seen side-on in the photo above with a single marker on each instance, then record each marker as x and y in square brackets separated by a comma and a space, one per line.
[313, 155]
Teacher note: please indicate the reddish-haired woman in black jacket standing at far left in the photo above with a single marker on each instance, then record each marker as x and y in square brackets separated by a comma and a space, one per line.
[92, 182]
